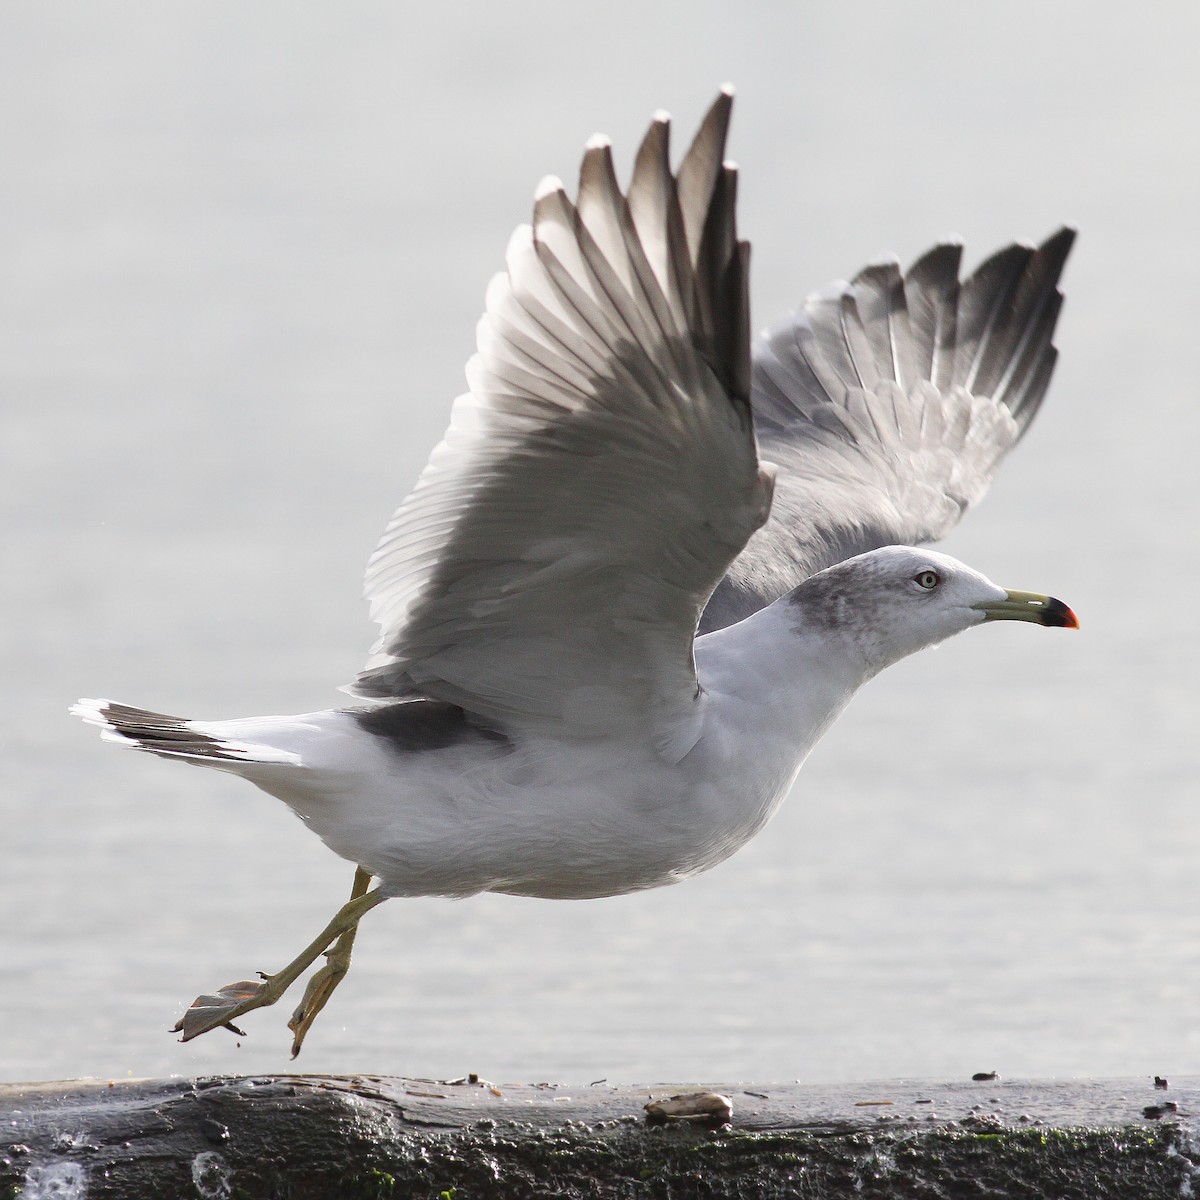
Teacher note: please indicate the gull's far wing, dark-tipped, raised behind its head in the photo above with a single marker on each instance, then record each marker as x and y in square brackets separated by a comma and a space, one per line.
[889, 404]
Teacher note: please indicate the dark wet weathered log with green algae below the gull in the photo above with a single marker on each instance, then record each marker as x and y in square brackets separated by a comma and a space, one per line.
[242, 1138]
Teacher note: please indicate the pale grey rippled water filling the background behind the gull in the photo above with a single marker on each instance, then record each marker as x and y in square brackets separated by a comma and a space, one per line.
[243, 249]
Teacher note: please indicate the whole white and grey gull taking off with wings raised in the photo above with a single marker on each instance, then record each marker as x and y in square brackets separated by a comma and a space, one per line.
[651, 562]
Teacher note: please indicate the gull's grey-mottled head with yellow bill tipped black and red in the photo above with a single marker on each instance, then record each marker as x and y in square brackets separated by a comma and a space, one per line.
[895, 602]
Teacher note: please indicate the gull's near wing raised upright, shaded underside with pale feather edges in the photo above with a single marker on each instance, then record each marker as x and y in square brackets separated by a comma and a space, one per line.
[553, 562]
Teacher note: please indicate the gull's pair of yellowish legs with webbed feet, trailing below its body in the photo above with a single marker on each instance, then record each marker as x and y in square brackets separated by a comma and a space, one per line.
[211, 1012]
